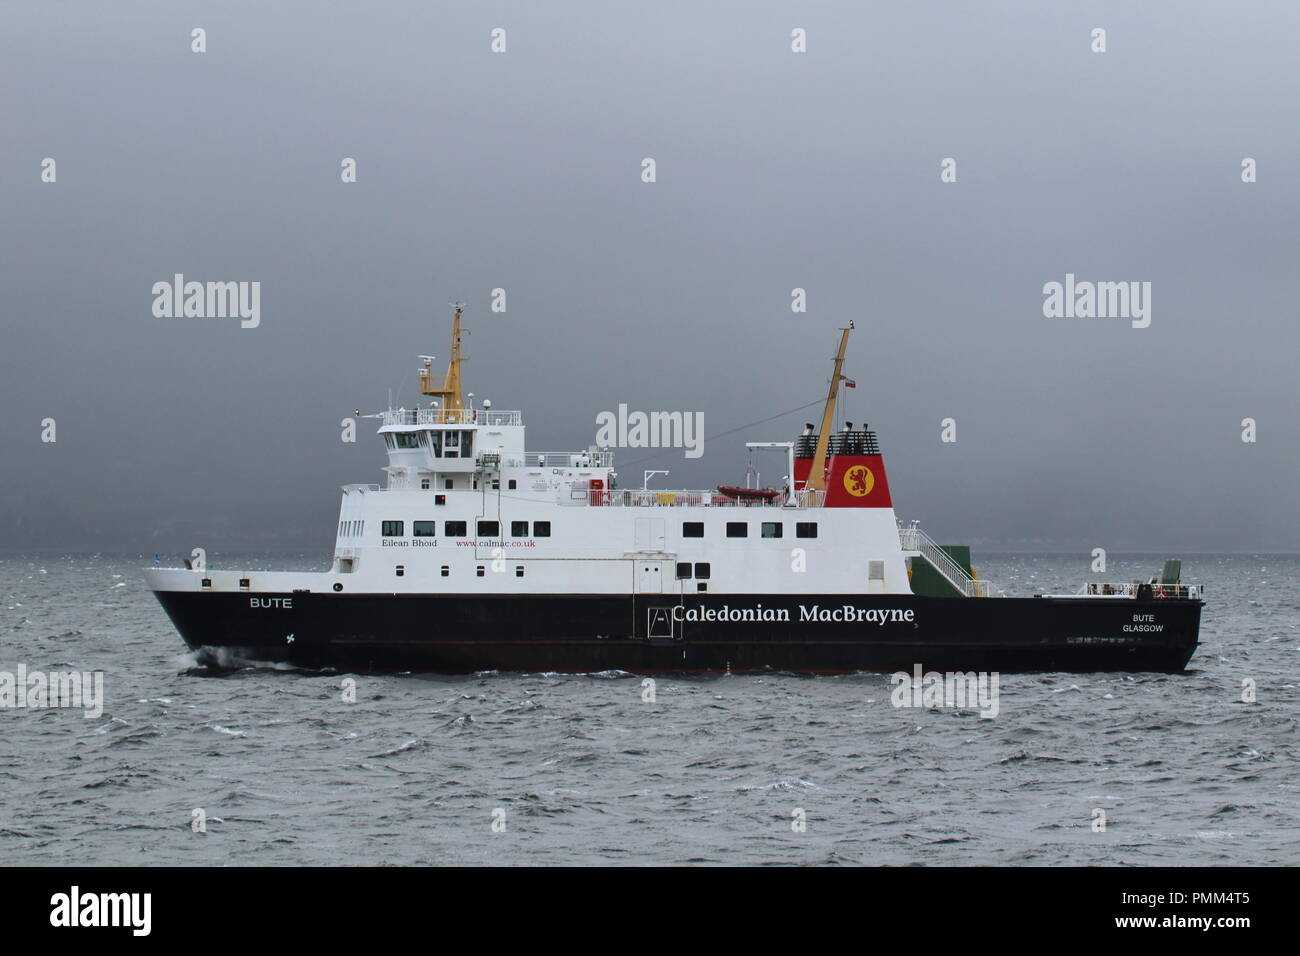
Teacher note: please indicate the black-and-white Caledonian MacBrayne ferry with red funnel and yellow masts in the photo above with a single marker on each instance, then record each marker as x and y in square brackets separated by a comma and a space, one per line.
[476, 555]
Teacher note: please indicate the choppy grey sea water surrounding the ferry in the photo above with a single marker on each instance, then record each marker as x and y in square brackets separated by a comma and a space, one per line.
[582, 769]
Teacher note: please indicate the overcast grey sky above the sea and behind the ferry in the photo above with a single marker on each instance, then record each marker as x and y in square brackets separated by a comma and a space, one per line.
[775, 171]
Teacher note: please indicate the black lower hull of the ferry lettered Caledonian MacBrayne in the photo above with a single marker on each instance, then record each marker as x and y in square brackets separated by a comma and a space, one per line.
[657, 634]
